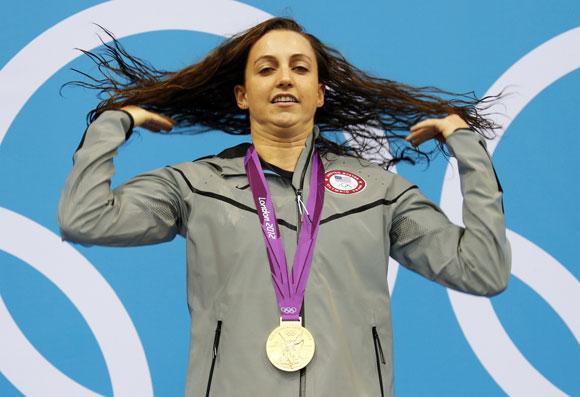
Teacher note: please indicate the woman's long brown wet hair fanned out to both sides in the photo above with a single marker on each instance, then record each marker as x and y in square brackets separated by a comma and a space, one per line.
[200, 97]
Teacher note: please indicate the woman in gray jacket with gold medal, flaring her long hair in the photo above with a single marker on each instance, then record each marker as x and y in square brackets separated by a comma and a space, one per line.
[322, 211]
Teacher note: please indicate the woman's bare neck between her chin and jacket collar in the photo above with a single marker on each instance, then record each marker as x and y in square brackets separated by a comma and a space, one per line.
[281, 151]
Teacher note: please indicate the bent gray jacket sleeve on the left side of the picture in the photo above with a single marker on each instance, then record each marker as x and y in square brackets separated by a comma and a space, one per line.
[147, 209]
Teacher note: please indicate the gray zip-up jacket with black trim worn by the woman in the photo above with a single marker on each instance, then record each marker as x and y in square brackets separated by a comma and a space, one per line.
[230, 294]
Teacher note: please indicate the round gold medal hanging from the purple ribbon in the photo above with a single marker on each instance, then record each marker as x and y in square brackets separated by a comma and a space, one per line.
[290, 346]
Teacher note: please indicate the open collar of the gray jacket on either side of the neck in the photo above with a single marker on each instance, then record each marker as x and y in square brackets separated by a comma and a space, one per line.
[230, 162]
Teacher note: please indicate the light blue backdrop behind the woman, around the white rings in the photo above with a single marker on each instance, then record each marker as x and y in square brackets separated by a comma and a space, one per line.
[457, 45]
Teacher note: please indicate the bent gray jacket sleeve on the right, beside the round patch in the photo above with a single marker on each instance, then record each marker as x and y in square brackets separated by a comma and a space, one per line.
[476, 258]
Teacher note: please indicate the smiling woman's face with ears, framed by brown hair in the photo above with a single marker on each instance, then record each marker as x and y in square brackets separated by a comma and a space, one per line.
[281, 88]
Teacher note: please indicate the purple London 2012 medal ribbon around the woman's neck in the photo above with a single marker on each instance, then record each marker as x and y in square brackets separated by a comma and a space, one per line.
[289, 288]
